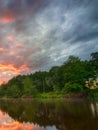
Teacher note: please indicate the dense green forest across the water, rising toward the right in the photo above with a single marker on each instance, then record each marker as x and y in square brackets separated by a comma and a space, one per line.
[71, 77]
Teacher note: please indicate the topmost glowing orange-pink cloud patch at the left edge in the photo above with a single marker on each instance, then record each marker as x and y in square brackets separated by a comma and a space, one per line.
[7, 17]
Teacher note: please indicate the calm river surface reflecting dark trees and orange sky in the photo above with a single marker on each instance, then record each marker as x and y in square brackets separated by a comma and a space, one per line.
[48, 115]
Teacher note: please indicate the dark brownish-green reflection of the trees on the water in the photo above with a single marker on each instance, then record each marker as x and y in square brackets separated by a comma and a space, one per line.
[64, 115]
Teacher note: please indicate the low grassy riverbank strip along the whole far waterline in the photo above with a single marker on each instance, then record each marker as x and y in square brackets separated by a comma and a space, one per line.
[58, 95]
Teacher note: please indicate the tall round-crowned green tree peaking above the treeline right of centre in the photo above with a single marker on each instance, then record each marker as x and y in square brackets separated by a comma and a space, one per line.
[74, 71]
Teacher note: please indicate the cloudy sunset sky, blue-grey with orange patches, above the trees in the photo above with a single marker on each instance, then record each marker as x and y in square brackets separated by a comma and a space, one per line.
[38, 34]
